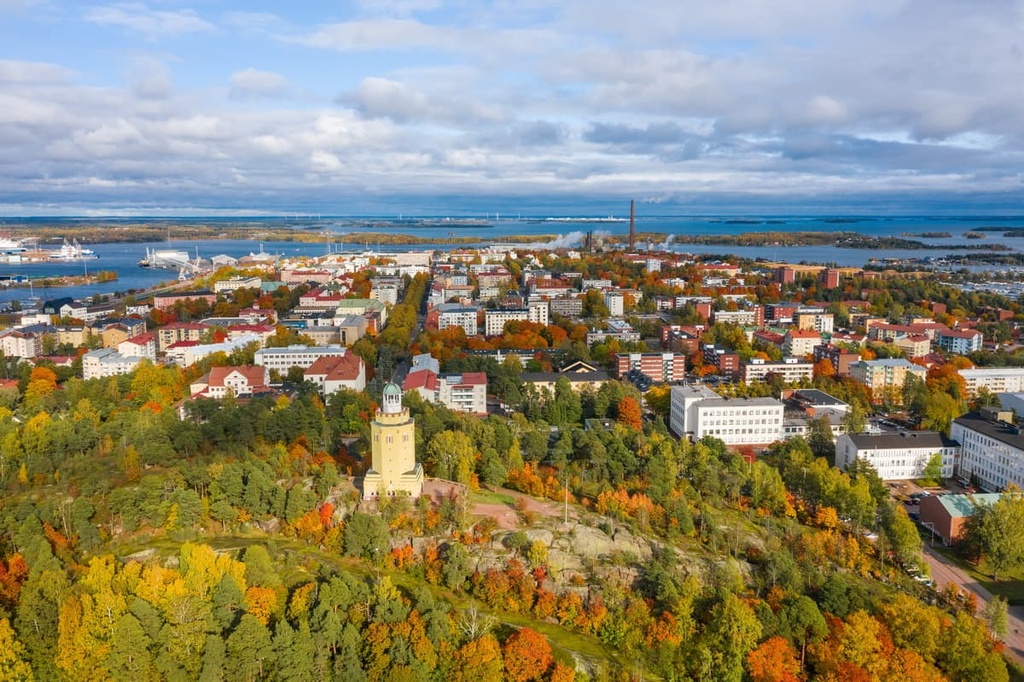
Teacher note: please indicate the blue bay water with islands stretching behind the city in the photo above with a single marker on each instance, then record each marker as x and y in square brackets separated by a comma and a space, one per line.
[123, 259]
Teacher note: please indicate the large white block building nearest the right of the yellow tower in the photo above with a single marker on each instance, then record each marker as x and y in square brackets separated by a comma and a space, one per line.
[698, 411]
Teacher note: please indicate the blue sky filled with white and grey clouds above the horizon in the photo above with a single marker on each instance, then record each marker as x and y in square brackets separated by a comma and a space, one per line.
[474, 107]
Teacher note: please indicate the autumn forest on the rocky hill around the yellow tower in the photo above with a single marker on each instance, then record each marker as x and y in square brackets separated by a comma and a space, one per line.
[227, 542]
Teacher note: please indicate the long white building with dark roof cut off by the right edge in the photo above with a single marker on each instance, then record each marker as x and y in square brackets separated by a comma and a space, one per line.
[992, 449]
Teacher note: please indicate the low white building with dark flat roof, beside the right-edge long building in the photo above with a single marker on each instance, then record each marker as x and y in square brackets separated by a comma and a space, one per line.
[900, 456]
